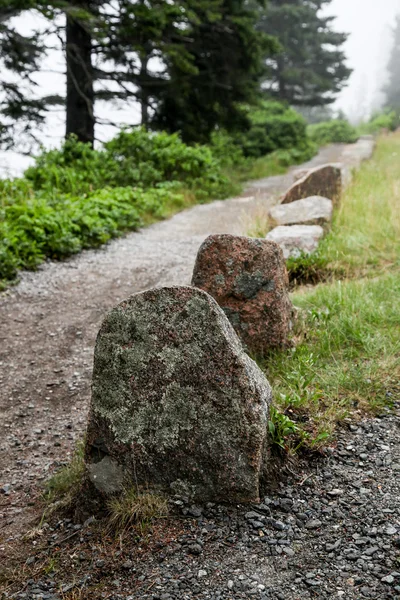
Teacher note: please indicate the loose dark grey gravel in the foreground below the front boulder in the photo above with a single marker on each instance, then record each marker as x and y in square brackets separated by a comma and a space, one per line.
[331, 531]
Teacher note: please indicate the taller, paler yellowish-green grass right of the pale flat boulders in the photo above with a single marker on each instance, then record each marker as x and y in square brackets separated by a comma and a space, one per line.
[365, 239]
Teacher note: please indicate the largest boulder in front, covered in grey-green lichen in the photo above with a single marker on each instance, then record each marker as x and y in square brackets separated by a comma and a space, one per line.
[176, 402]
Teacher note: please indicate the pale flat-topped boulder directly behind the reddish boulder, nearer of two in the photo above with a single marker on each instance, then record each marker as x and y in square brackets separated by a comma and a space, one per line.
[296, 239]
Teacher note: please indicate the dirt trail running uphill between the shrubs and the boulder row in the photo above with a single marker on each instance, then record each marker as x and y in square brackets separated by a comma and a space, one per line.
[50, 320]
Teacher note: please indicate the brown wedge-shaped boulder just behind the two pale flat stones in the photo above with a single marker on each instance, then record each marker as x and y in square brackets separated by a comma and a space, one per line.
[325, 180]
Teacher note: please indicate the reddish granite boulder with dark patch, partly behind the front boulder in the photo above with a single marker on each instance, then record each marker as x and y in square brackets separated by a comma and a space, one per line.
[248, 279]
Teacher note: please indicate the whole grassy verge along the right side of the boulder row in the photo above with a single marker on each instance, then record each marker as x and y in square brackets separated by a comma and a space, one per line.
[347, 356]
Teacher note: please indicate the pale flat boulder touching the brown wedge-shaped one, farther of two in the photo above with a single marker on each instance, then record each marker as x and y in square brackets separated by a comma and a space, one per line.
[315, 210]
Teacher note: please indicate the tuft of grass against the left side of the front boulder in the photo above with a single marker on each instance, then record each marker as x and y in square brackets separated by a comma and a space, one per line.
[64, 484]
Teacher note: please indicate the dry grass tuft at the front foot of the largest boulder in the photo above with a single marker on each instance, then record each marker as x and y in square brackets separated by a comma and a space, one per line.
[135, 509]
